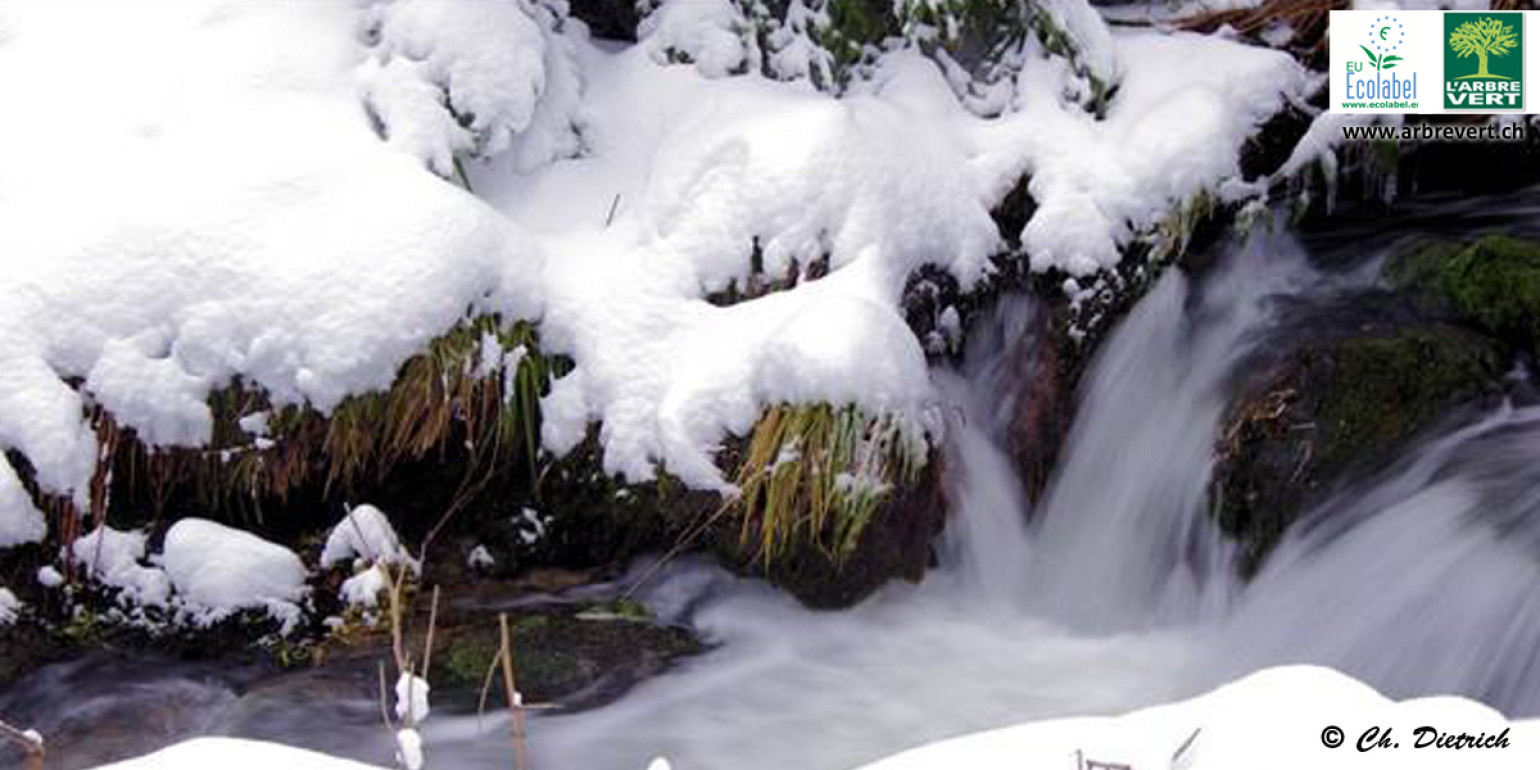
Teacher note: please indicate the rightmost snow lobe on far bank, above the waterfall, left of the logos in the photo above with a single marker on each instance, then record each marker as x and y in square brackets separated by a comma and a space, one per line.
[1174, 130]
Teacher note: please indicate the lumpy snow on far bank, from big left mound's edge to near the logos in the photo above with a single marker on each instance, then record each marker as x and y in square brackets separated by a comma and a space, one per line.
[689, 173]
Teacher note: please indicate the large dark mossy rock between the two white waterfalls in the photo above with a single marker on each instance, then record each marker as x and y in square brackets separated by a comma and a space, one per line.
[1334, 409]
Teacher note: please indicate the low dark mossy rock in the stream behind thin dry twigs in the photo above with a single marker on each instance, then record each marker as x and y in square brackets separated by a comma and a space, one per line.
[575, 657]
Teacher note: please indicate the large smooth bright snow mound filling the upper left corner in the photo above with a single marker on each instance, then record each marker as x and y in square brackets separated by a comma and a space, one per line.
[195, 192]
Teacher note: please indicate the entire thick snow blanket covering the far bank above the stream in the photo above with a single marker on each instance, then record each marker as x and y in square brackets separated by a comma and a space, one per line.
[280, 212]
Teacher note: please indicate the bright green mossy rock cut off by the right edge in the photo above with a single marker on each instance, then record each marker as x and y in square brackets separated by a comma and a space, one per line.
[1491, 284]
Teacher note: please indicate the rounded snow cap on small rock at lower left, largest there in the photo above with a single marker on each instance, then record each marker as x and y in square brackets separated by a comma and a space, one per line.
[218, 571]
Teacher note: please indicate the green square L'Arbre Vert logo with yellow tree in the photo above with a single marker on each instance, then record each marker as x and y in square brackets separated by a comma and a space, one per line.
[1485, 61]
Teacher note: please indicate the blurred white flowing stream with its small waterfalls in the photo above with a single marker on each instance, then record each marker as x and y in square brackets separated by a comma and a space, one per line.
[1117, 592]
